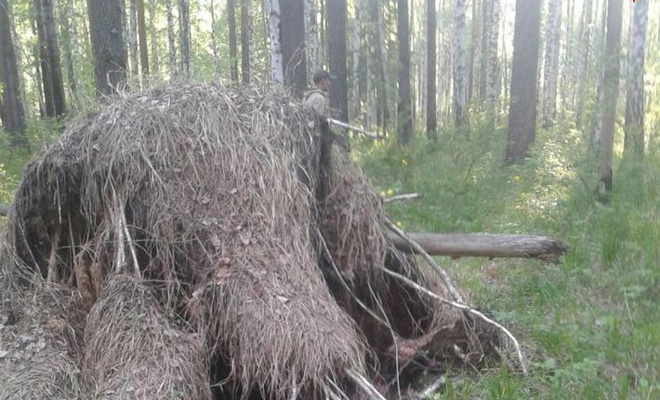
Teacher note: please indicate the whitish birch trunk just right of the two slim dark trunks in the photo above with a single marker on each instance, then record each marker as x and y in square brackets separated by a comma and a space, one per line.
[458, 63]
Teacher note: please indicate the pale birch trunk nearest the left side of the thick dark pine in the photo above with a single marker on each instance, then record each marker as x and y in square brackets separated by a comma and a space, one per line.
[492, 55]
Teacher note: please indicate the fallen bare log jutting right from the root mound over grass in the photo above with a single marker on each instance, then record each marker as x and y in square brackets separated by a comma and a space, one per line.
[485, 245]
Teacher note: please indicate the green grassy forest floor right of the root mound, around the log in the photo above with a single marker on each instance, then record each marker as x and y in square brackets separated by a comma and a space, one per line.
[591, 326]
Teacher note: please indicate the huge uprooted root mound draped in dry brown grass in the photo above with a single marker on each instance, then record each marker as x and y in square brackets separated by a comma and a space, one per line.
[200, 241]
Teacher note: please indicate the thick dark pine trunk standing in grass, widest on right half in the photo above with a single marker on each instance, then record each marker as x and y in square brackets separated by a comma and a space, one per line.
[522, 110]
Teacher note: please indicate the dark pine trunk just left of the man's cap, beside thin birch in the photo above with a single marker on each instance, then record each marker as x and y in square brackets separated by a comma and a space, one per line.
[292, 34]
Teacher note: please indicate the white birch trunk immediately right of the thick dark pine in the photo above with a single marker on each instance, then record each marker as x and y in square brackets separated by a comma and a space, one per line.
[551, 63]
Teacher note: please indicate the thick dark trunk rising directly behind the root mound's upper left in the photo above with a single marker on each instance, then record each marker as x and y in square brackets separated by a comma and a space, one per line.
[107, 38]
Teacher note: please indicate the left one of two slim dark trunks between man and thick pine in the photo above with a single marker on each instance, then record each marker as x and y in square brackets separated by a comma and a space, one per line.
[404, 114]
